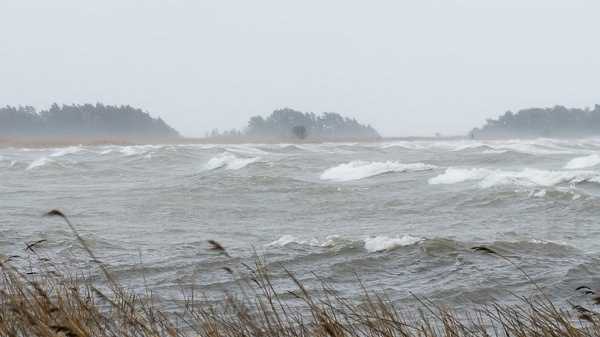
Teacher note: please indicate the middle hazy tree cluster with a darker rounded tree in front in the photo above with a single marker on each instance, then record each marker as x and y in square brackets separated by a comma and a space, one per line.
[291, 123]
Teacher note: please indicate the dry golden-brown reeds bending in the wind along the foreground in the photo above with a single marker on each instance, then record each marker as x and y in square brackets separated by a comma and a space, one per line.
[46, 301]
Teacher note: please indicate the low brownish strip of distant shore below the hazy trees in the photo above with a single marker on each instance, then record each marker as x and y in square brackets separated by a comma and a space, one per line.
[53, 142]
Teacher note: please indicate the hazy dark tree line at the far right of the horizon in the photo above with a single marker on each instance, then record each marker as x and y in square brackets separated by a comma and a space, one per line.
[536, 122]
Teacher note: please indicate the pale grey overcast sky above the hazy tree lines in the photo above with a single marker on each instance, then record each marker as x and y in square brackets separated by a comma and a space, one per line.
[411, 67]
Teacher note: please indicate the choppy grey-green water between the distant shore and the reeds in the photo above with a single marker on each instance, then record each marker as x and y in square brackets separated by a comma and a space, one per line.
[400, 216]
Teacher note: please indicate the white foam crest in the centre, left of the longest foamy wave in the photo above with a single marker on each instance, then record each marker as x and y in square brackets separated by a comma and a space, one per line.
[360, 169]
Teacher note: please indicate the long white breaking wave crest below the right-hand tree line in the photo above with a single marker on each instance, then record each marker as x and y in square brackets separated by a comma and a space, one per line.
[528, 177]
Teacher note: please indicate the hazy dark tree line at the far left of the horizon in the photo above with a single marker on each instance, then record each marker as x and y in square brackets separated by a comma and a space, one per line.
[82, 121]
